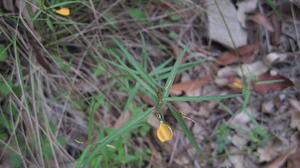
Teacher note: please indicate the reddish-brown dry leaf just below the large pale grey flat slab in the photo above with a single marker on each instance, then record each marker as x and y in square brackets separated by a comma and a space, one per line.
[246, 53]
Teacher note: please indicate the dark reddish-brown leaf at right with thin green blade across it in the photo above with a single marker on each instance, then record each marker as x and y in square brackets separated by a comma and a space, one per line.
[276, 86]
